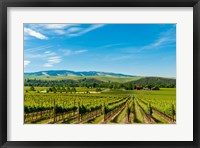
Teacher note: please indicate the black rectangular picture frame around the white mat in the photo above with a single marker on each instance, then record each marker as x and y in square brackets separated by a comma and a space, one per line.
[4, 4]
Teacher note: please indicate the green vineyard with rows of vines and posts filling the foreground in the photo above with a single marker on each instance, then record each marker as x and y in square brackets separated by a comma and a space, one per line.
[105, 107]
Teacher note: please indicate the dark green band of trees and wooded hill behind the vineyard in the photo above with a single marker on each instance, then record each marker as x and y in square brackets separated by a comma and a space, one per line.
[93, 83]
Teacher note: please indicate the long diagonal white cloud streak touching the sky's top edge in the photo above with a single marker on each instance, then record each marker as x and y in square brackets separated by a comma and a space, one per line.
[83, 31]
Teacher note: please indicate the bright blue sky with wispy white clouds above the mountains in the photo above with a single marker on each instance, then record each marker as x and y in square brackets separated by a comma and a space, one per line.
[136, 49]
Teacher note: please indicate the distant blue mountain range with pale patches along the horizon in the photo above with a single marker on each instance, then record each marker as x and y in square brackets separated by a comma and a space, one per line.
[74, 73]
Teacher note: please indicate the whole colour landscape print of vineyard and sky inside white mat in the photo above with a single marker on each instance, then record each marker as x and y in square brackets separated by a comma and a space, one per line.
[99, 73]
